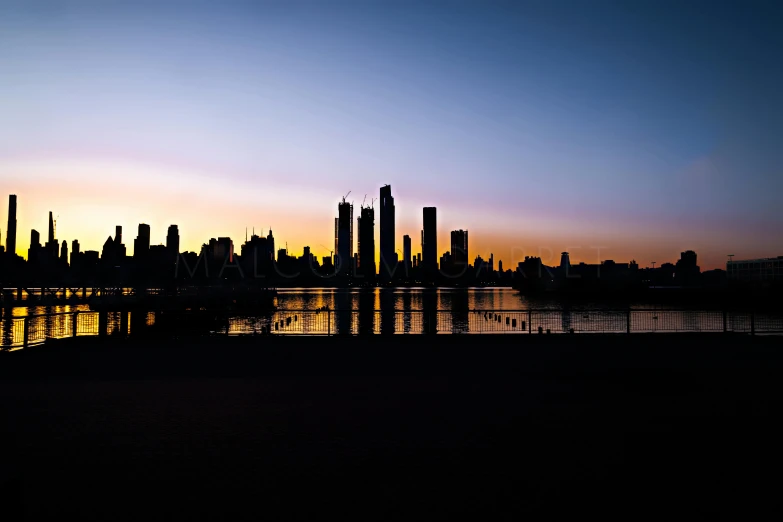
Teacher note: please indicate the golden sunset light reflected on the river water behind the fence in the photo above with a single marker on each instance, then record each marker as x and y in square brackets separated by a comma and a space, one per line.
[403, 310]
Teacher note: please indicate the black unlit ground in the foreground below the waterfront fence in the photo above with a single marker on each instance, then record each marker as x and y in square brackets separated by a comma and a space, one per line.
[408, 429]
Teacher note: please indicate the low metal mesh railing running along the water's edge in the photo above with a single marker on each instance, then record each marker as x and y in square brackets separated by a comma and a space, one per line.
[24, 331]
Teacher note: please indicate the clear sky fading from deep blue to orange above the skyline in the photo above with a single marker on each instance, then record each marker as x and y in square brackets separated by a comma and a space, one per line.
[622, 130]
